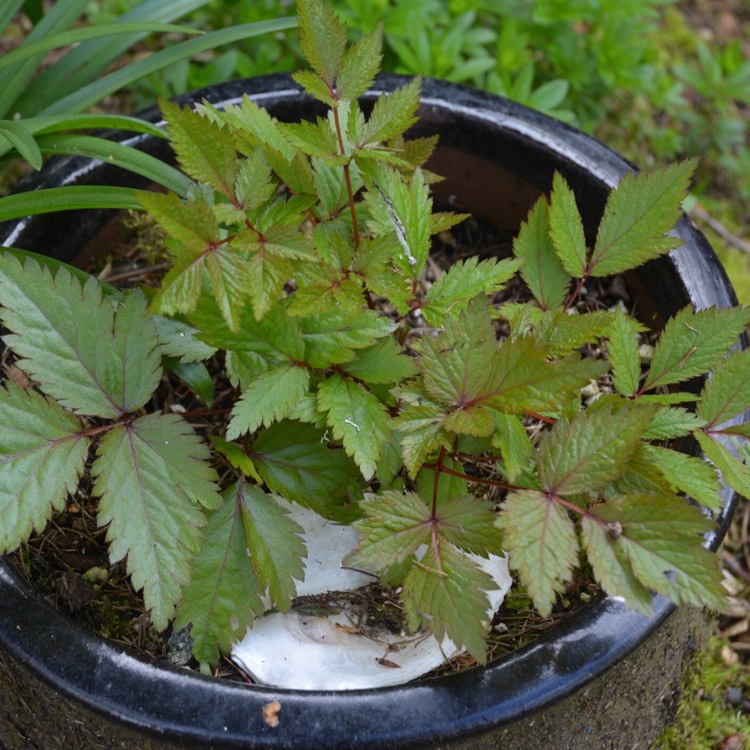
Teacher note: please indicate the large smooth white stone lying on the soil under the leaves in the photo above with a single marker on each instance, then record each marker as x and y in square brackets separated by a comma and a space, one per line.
[307, 651]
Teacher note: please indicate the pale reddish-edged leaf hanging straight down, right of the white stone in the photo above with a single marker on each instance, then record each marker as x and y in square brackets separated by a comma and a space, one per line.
[541, 542]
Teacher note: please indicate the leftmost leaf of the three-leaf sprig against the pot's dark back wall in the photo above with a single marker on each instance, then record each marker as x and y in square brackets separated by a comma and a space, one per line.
[541, 269]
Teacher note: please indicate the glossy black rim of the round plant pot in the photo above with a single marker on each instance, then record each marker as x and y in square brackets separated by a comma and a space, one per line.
[161, 700]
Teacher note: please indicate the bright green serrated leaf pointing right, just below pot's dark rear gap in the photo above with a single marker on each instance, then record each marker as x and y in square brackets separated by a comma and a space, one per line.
[463, 281]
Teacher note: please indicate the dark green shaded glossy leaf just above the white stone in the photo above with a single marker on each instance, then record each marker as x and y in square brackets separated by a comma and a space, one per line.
[295, 461]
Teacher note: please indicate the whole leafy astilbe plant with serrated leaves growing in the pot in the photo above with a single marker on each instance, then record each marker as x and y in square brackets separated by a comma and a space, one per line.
[299, 255]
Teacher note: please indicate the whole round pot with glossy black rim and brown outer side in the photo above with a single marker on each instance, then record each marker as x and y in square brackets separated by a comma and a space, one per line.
[606, 678]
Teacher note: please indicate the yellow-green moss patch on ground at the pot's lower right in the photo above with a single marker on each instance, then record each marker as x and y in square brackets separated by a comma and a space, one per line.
[705, 718]
